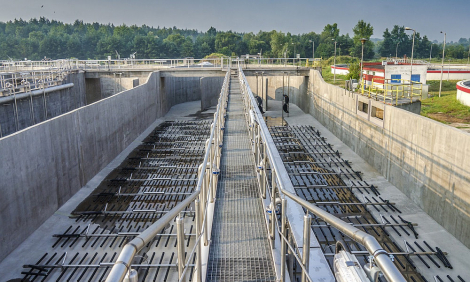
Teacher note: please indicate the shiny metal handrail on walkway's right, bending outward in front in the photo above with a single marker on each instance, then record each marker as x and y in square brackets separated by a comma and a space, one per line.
[282, 181]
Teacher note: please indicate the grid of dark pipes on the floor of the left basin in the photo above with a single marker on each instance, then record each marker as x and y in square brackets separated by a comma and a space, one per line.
[160, 173]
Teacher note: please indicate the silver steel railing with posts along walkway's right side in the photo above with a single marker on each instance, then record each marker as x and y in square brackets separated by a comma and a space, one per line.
[266, 153]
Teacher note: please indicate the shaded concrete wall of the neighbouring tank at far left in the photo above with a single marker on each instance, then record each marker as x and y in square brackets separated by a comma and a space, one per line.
[34, 111]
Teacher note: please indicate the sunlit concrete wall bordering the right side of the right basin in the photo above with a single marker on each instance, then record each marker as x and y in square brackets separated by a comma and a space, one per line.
[425, 159]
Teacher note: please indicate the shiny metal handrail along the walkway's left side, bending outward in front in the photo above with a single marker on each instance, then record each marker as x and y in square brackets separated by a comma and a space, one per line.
[203, 190]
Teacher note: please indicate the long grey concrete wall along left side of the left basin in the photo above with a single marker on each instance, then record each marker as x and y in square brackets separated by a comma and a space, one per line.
[42, 166]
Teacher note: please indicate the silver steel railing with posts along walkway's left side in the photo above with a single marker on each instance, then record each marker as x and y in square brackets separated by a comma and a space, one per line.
[203, 195]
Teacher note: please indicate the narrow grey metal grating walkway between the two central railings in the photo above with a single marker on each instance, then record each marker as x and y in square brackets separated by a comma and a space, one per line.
[240, 248]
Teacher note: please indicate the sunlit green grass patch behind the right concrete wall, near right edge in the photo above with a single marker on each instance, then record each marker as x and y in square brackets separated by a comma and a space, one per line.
[446, 109]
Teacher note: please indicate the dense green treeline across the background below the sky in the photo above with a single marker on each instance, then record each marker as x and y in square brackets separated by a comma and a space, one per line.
[38, 39]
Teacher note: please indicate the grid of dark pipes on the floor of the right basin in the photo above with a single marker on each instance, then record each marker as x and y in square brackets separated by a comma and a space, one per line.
[320, 175]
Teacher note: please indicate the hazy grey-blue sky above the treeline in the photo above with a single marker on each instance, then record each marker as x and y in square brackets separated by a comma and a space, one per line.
[428, 17]
